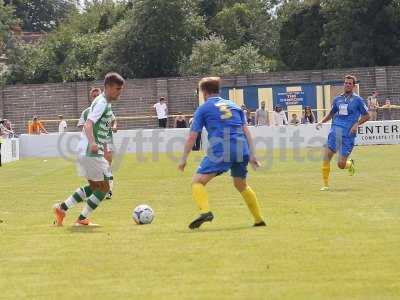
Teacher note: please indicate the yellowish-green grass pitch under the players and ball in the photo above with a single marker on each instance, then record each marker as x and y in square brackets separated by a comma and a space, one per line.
[343, 244]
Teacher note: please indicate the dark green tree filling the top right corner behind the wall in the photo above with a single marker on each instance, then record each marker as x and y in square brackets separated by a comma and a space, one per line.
[362, 33]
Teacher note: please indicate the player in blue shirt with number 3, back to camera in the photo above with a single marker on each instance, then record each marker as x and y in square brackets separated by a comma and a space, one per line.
[230, 148]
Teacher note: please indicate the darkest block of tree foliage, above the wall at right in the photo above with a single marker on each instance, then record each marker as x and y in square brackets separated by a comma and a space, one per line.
[337, 34]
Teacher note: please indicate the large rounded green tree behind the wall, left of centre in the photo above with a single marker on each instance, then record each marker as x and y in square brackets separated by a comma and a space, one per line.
[153, 39]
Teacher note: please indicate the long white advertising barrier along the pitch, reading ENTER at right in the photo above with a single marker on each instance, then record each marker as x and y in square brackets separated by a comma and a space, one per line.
[172, 140]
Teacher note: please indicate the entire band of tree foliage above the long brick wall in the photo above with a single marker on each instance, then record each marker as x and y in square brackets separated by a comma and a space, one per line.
[154, 38]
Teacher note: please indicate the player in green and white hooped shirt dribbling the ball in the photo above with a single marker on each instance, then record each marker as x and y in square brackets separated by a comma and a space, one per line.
[91, 162]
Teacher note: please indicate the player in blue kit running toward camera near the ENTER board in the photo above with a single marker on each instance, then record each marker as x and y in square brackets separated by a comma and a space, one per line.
[348, 112]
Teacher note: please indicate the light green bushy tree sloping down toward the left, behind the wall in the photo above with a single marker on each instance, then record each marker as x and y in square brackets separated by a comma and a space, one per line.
[69, 53]
